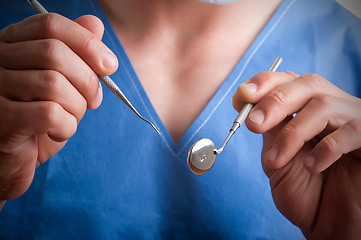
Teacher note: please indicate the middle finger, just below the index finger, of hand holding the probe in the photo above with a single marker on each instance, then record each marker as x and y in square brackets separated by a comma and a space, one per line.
[54, 55]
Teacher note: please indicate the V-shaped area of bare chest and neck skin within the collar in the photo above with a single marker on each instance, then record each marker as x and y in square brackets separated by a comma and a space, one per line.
[166, 39]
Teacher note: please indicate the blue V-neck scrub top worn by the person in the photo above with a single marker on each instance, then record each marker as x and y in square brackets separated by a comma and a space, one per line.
[117, 179]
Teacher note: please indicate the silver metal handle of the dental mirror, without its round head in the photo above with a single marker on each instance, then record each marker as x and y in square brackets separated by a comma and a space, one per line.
[245, 111]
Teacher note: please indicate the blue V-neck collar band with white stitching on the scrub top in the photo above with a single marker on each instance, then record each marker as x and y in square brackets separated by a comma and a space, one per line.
[223, 91]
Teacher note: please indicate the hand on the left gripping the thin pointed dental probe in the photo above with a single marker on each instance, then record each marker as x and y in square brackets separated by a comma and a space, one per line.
[48, 77]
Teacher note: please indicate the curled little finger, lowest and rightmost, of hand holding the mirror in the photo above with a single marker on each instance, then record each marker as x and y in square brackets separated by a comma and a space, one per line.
[342, 141]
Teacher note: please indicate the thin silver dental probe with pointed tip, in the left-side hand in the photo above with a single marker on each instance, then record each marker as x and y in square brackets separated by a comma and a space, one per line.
[105, 79]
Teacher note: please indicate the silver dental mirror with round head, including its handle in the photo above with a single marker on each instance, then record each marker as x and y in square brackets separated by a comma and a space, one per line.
[202, 154]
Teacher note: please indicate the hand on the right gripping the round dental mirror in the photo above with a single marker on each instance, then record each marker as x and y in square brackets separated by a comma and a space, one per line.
[313, 160]
